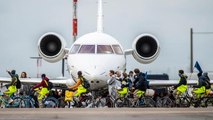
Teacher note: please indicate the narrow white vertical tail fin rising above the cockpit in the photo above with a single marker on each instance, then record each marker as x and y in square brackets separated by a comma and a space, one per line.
[100, 16]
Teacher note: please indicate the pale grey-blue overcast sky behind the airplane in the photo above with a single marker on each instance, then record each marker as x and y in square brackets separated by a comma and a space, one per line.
[23, 22]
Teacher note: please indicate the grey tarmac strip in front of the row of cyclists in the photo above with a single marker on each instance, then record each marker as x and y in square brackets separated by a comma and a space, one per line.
[108, 114]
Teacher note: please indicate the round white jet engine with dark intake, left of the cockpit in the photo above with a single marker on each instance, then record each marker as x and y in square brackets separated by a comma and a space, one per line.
[51, 47]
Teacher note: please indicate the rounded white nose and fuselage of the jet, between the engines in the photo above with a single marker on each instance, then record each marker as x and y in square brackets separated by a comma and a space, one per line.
[95, 66]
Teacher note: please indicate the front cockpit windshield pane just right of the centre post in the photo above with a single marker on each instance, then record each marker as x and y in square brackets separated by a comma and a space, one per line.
[104, 49]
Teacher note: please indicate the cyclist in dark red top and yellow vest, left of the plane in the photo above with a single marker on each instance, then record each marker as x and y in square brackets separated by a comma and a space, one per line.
[42, 89]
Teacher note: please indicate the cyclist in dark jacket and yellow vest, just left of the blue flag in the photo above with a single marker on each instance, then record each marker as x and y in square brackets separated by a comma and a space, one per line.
[181, 87]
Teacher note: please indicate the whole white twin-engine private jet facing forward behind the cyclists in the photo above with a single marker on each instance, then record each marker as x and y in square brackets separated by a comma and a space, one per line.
[95, 54]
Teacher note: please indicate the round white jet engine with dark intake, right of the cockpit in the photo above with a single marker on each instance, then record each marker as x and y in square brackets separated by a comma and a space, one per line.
[146, 48]
